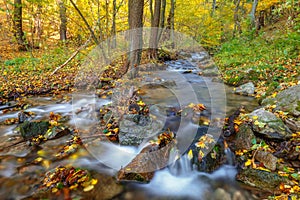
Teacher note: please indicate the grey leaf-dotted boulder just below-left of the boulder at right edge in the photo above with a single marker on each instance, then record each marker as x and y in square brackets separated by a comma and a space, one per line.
[270, 126]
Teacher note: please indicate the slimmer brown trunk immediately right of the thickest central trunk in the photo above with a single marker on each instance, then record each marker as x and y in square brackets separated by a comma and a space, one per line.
[153, 42]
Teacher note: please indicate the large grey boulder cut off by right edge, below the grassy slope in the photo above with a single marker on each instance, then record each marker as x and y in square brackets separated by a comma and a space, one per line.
[287, 100]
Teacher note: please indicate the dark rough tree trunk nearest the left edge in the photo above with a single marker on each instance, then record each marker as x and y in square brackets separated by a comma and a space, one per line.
[17, 23]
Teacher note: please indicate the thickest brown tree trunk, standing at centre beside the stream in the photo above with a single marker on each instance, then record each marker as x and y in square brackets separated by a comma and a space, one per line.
[135, 20]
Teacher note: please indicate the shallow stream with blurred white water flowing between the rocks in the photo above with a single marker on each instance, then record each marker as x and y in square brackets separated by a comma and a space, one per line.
[179, 180]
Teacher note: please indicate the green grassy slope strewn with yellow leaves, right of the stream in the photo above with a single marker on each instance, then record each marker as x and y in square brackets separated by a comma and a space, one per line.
[270, 58]
